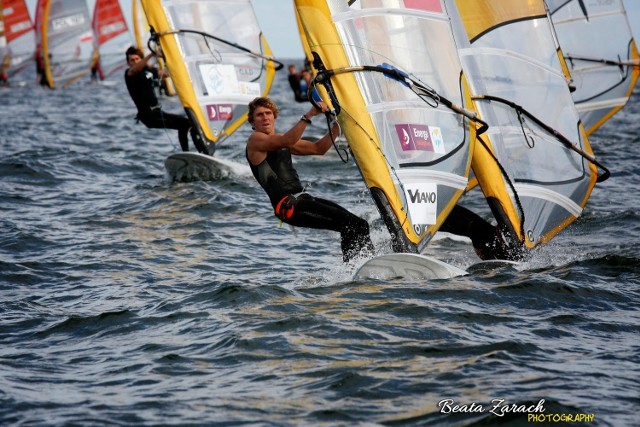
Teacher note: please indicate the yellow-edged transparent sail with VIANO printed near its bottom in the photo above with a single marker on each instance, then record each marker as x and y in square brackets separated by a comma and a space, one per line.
[403, 110]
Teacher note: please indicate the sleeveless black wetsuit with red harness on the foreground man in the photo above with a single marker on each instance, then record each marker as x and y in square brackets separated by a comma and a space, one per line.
[291, 204]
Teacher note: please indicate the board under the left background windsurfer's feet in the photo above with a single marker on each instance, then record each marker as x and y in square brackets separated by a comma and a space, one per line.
[188, 166]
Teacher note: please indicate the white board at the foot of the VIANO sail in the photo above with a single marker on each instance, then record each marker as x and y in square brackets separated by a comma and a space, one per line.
[406, 265]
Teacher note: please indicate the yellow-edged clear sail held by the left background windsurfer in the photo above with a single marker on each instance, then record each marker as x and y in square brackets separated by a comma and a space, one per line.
[218, 59]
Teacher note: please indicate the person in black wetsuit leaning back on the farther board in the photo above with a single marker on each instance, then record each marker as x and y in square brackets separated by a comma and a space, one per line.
[140, 83]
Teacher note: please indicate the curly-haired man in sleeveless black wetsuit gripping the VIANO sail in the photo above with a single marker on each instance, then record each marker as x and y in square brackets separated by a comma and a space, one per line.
[269, 156]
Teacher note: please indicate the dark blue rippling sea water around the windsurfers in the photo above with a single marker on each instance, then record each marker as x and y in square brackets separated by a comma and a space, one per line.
[126, 299]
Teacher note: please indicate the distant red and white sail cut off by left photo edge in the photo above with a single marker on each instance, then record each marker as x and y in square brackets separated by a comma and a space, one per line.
[19, 36]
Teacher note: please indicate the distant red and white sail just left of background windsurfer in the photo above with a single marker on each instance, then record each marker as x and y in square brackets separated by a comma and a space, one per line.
[112, 37]
